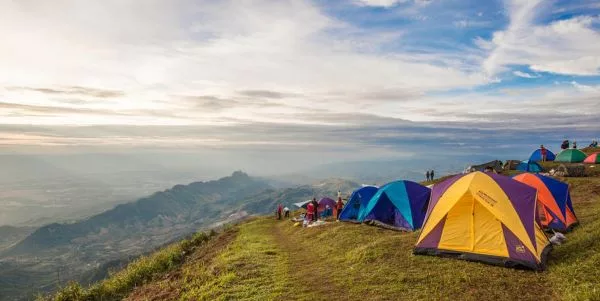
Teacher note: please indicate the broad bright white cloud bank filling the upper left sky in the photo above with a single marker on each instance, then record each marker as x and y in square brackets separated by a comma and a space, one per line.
[165, 49]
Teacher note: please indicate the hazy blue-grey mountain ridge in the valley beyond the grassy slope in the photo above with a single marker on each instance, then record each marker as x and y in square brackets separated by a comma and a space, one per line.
[86, 250]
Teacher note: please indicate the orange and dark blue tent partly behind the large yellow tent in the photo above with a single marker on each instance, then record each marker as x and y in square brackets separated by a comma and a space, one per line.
[554, 208]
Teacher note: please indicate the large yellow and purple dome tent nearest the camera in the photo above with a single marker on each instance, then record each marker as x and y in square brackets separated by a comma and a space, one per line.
[484, 217]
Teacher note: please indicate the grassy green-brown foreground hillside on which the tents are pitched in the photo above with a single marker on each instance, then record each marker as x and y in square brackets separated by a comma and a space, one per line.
[265, 259]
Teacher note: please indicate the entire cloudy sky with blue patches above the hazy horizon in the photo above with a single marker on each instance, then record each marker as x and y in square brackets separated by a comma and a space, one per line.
[324, 80]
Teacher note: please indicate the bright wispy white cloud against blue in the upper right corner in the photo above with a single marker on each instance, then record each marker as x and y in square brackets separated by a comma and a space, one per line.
[569, 46]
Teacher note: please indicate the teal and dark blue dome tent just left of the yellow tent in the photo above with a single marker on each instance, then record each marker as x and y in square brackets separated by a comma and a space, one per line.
[399, 205]
